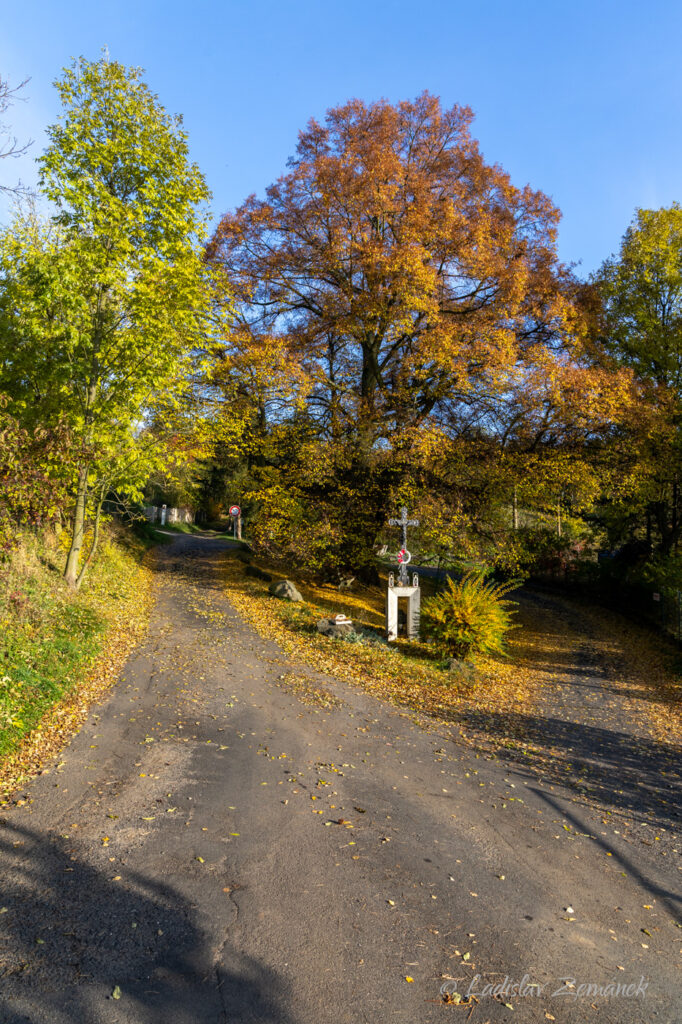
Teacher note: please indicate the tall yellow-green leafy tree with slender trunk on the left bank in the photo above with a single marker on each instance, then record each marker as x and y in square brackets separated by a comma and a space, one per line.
[103, 312]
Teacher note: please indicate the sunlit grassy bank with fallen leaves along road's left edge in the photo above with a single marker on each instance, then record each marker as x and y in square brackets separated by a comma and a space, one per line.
[60, 651]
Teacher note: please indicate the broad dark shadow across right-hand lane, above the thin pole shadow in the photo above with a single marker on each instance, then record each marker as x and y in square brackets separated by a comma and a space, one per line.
[631, 774]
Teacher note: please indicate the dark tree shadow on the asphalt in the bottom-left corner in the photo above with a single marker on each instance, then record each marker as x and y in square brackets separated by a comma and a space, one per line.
[70, 934]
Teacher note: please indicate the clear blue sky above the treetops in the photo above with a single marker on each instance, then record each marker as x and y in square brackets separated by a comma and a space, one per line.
[581, 100]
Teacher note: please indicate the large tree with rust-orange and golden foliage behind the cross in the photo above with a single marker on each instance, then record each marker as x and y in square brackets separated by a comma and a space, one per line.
[415, 288]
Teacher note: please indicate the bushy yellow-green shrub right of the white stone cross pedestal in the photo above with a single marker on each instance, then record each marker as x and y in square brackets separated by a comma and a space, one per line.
[470, 618]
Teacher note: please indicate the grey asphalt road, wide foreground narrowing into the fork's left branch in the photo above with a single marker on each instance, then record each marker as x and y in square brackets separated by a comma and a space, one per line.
[222, 844]
